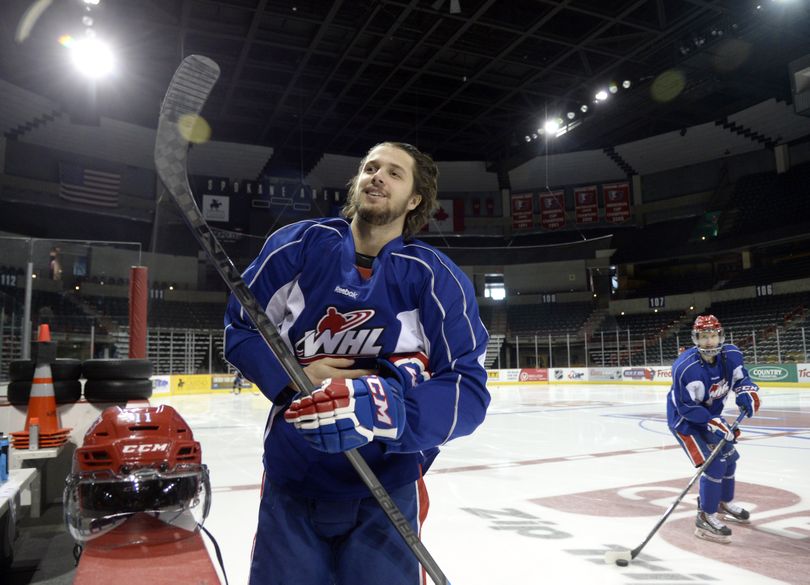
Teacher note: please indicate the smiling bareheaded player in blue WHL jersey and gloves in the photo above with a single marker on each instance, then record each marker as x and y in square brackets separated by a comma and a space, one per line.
[388, 330]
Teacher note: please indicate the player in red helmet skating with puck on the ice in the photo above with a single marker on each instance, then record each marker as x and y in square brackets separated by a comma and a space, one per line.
[703, 377]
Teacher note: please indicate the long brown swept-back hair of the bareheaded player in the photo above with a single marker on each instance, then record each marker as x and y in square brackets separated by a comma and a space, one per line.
[425, 178]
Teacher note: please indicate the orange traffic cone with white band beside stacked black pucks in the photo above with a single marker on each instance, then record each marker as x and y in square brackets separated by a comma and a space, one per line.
[42, 402]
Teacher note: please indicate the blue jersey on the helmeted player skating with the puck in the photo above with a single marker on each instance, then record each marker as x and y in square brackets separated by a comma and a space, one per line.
[699, 389]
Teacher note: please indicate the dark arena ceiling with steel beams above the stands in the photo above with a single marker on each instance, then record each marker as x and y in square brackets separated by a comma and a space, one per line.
[463, 79]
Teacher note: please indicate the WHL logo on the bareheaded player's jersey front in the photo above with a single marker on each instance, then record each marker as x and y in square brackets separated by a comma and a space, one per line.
[339, 335]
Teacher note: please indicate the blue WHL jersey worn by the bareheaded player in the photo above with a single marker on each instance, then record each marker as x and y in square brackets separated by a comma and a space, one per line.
[416, 300]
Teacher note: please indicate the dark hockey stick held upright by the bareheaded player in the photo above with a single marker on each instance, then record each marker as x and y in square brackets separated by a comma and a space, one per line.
[185, 98]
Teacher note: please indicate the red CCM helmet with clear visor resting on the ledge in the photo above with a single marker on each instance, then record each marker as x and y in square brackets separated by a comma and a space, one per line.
[137, 479]
